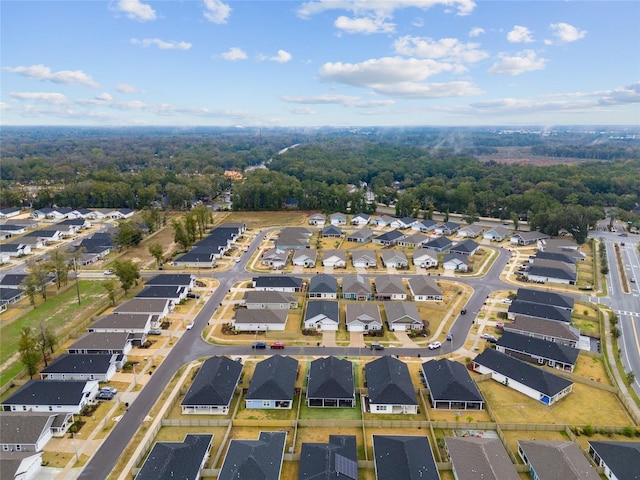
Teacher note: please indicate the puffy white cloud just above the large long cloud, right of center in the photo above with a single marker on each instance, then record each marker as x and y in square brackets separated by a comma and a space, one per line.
[449, 49]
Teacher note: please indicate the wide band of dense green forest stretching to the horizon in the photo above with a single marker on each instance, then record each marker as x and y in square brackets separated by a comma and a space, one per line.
[417, 170]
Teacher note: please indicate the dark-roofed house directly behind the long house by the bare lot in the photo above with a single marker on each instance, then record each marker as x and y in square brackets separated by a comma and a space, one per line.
[535, 350]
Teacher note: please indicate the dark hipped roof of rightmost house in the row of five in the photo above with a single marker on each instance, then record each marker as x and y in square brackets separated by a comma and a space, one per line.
[450, 381]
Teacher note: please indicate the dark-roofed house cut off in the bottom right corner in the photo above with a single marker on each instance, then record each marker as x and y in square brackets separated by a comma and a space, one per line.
[619, 460]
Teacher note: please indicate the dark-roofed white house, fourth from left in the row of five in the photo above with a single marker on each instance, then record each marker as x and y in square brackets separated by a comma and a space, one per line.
[389, 387]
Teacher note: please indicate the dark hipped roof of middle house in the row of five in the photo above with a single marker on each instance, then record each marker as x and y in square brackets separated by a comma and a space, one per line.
[331, 377]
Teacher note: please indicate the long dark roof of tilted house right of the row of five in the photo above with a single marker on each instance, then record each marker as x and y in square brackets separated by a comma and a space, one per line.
[522, 372]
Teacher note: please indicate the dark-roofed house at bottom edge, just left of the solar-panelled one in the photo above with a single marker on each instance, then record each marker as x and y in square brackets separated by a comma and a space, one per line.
[261, 458]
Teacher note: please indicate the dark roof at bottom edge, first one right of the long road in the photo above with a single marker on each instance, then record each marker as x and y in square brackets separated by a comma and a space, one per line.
[176, 460]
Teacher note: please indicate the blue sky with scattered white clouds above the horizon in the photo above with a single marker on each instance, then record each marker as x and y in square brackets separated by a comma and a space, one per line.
[319, 62]
